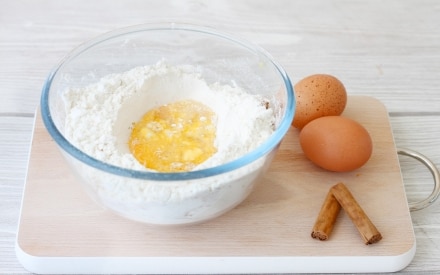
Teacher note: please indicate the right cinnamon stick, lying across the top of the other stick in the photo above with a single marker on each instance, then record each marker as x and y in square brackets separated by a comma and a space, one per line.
[366, 228]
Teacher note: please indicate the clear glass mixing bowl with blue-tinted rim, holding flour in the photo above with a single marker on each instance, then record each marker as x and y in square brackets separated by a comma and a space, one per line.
[170, 198]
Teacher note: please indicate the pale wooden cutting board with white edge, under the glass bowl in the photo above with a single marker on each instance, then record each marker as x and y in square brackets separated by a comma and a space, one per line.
[61, 230]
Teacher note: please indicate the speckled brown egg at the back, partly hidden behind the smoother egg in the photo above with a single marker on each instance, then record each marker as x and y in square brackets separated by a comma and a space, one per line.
[317, 96]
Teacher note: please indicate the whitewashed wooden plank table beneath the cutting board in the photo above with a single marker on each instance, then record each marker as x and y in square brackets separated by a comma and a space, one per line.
[386, 49]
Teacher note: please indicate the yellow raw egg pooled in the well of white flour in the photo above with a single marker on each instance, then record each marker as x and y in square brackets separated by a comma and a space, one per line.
[174, 137]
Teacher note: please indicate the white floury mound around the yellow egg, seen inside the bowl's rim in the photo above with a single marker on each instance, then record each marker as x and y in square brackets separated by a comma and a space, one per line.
[99, 116]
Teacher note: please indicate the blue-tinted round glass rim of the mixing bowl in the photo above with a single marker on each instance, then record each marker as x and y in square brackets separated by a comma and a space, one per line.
[242, 161]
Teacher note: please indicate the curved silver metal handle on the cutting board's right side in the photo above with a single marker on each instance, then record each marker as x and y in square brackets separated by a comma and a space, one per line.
[413, 206]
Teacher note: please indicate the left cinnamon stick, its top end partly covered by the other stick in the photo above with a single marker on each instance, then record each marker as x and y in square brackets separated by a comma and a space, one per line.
[326, 218]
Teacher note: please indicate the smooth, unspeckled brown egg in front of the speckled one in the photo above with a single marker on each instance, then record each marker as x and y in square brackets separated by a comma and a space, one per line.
[336, 143]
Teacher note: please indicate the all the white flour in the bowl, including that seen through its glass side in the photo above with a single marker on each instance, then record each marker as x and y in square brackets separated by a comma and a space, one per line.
[98, 120]
